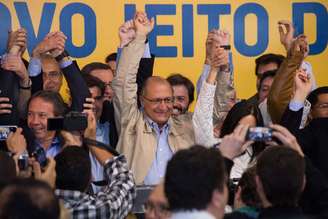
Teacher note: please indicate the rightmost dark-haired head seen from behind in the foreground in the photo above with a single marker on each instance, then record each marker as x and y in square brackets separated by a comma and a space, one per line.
[280, 177]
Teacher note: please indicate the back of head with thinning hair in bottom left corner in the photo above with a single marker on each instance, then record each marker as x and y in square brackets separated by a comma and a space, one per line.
[27, 198]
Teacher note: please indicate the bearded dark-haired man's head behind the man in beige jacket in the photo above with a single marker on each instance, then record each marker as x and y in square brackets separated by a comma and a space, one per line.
[183, 92]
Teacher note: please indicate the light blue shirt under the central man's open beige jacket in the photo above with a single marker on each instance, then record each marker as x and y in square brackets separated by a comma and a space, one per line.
[163, 154]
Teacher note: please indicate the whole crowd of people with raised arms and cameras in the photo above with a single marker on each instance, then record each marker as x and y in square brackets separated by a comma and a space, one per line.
[78, 143]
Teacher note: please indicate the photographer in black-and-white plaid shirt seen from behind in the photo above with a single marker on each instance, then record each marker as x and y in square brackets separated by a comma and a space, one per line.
[74, 177]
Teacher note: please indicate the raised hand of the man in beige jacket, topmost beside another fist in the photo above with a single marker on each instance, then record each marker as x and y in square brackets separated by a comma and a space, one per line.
[142, 24]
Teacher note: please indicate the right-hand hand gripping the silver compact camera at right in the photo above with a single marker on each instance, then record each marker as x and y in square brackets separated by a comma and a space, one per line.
[286, 138]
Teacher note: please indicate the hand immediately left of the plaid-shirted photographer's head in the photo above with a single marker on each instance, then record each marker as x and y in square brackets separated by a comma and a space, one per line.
[49, 173]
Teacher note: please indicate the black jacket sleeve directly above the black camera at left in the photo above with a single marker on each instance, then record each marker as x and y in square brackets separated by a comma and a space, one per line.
[78, 88]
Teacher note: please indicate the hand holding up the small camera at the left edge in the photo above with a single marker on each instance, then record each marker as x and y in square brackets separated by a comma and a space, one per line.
[16, 142]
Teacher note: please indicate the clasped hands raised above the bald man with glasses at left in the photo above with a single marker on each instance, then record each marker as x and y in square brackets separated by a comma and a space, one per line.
[54, 43]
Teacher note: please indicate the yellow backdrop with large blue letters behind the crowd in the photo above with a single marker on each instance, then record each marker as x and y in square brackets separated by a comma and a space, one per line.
[178, 39]
